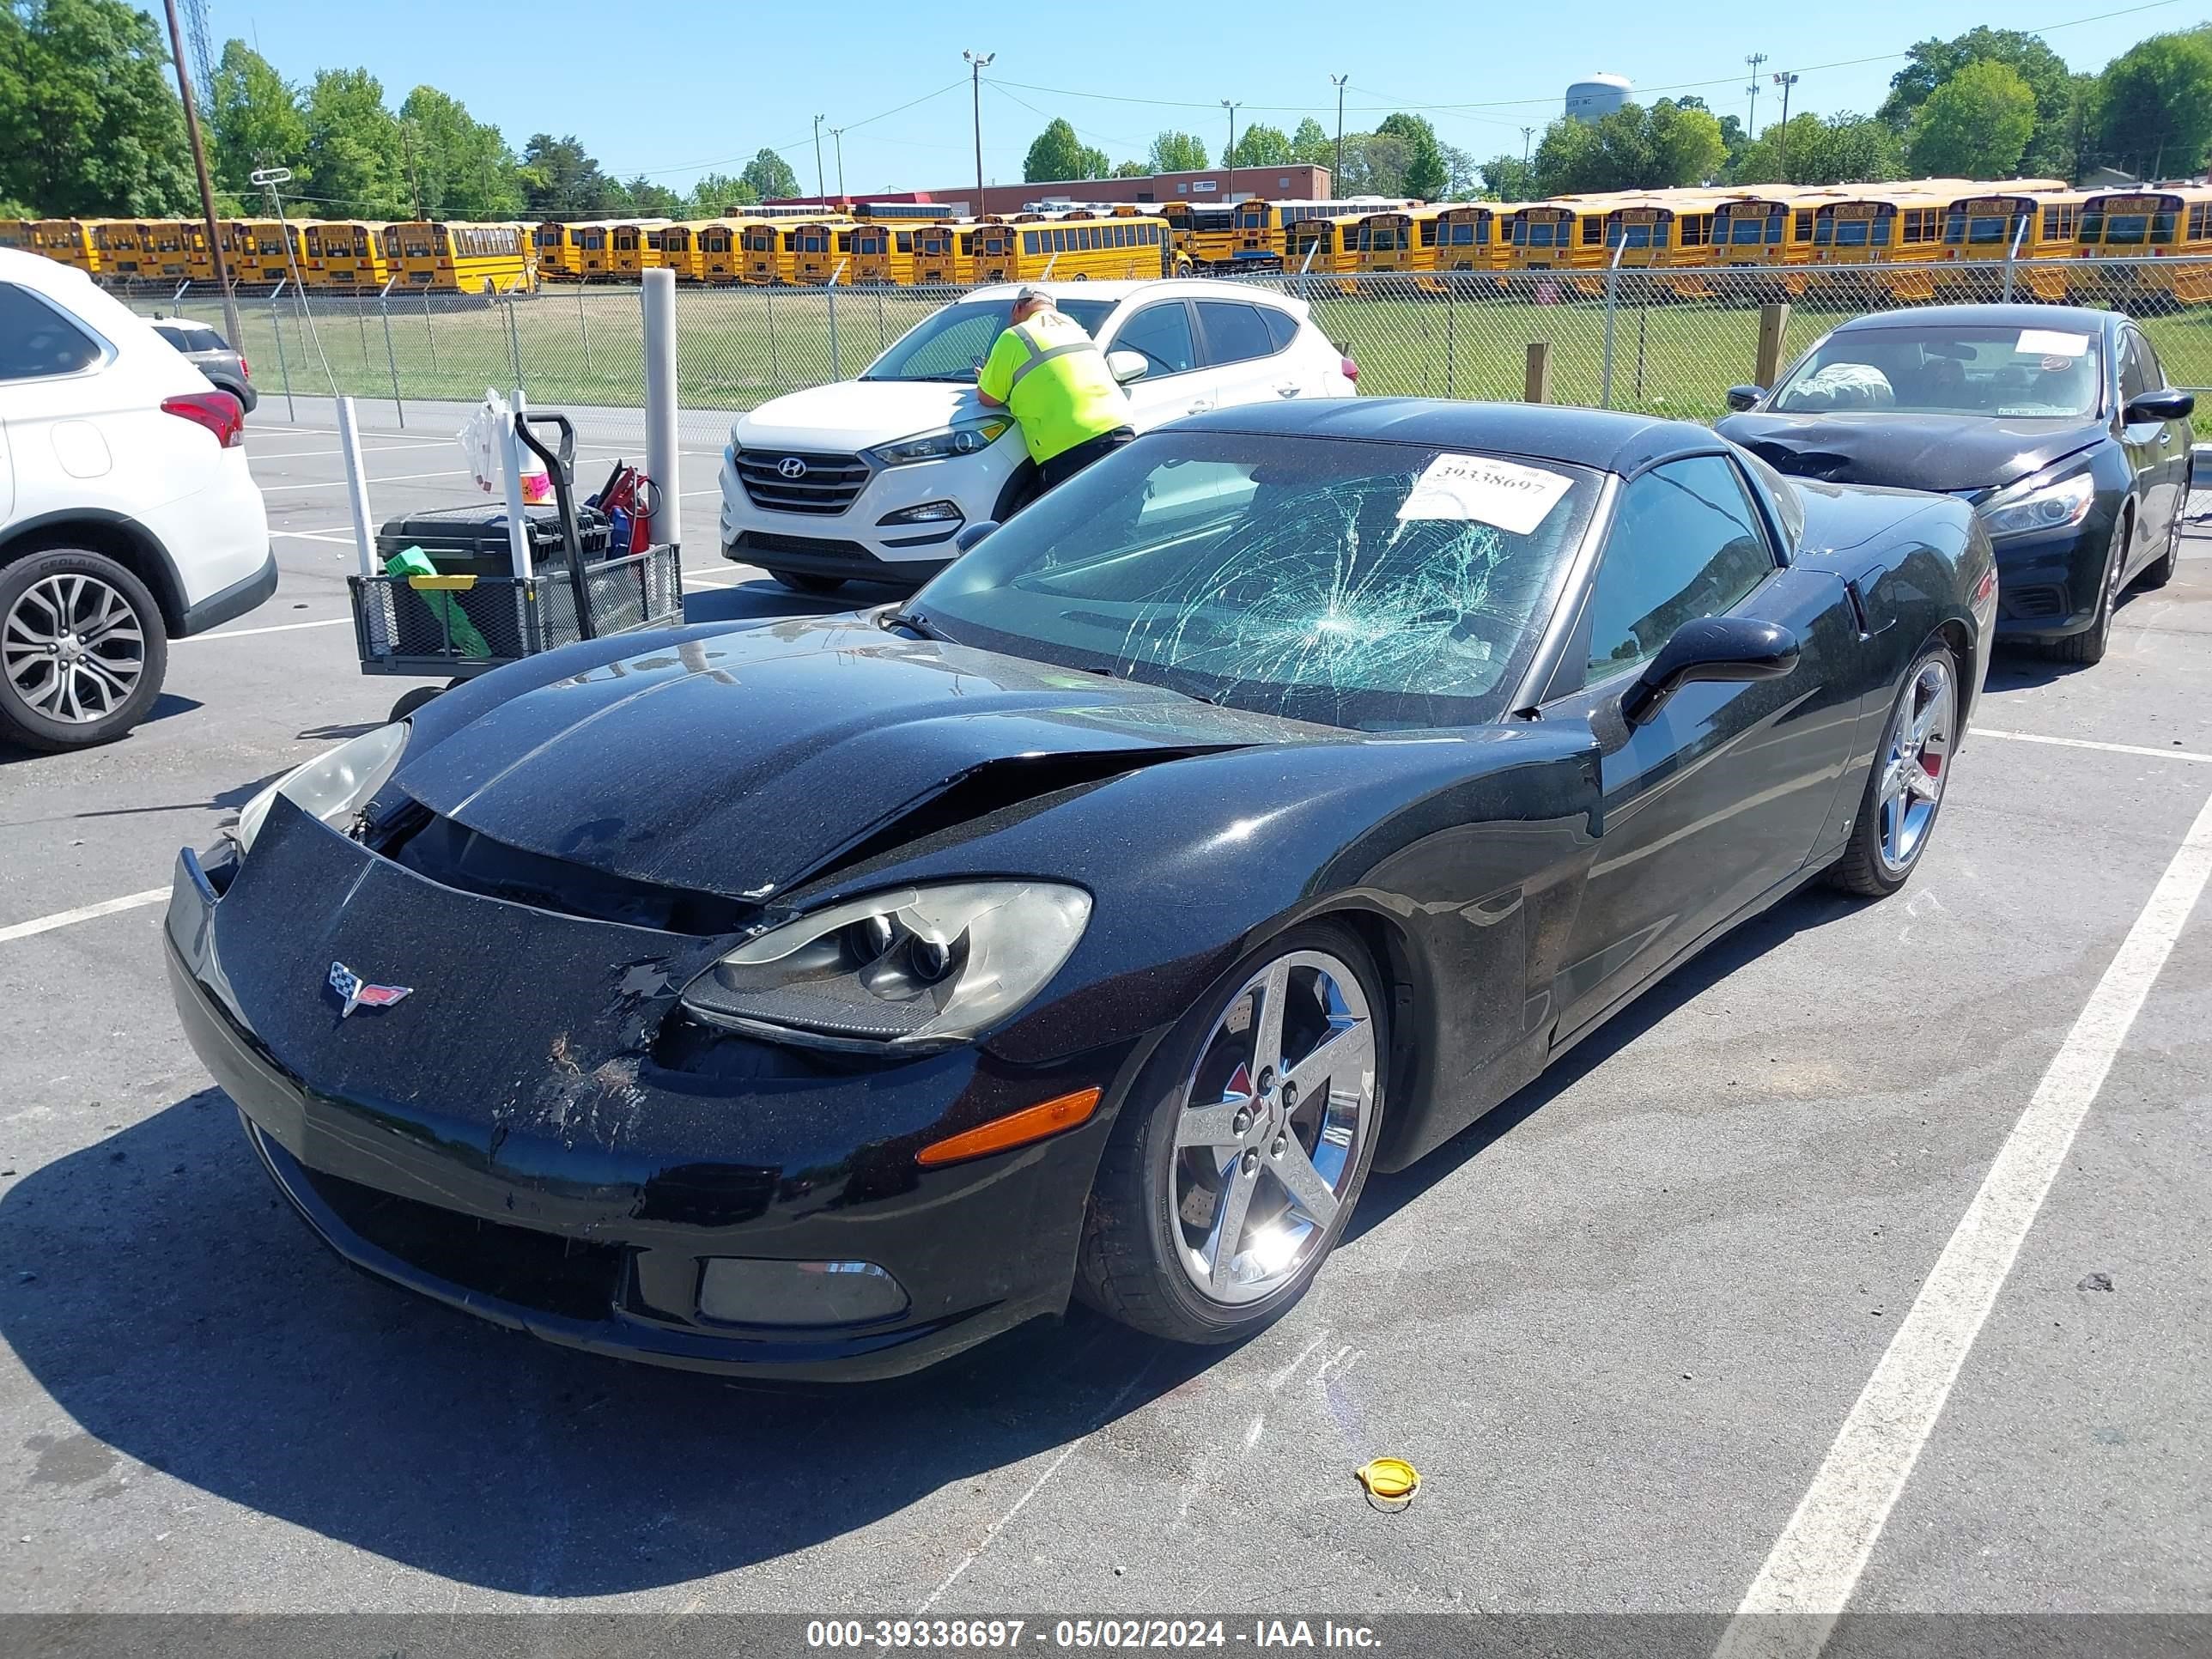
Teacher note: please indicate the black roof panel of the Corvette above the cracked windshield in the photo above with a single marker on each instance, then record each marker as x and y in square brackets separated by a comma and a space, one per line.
[1600, 439]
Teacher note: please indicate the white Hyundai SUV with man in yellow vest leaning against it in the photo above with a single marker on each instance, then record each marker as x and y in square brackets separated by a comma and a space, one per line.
[877, 479]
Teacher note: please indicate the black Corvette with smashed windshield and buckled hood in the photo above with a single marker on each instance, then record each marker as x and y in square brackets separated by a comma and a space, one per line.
[817, 999]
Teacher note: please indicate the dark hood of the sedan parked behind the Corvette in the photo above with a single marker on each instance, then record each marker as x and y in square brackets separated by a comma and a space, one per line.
[1948, 455]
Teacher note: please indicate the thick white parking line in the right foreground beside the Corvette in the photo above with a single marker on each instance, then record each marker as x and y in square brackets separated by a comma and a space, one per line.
[1815, 1565]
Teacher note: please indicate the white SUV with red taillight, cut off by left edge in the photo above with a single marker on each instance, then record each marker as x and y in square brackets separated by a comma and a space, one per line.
[127, 514]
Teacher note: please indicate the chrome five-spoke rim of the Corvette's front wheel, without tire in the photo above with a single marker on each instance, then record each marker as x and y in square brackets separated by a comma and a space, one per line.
[1269, 1140]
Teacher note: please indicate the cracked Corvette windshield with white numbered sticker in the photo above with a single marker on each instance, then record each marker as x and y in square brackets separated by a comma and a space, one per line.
[1368, 585]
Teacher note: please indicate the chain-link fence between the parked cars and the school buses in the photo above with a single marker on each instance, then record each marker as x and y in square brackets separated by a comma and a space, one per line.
[1665, 342]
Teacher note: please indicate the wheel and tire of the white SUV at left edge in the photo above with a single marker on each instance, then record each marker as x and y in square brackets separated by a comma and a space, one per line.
[83, 651]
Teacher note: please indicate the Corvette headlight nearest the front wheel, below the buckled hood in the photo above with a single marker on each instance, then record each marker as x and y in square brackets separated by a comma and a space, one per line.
[906, 970]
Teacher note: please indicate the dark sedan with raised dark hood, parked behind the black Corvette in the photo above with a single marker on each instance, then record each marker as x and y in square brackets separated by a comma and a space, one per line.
[2056, 424]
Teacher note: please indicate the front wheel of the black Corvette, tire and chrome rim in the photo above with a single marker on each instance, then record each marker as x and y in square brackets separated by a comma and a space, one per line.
[1244, 1147]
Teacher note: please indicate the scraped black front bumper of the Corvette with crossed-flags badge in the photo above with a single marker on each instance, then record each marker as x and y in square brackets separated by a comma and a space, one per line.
[589, 1218]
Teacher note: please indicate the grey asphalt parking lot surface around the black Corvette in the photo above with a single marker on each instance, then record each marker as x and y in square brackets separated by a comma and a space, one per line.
[1625, 1326]
